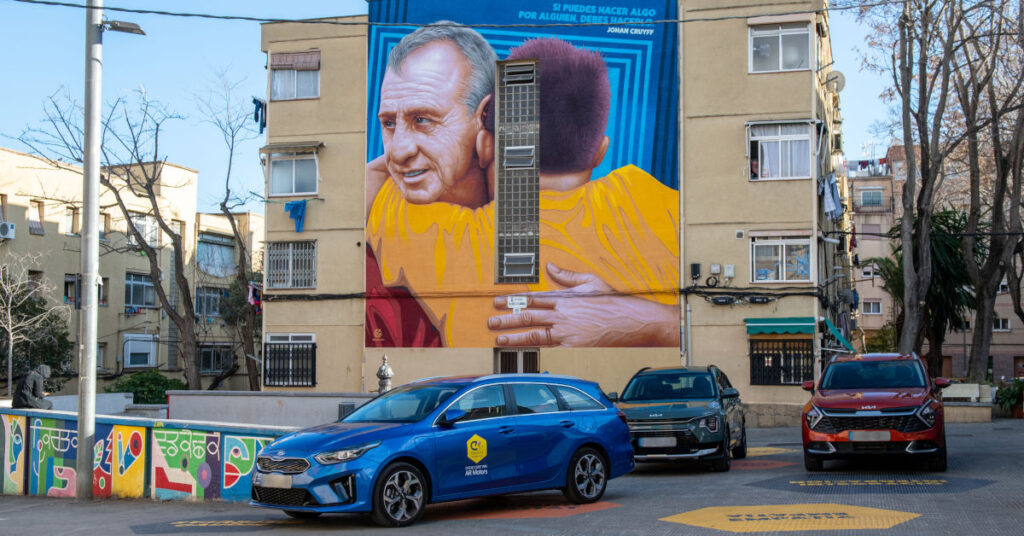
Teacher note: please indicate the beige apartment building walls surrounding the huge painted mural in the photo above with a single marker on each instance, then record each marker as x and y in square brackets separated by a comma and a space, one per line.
[763, 254]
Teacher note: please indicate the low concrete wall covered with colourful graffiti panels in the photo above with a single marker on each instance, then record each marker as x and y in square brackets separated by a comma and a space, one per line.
[133, 459]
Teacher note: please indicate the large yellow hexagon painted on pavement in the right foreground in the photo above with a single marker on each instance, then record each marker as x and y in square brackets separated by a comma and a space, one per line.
[785, 518]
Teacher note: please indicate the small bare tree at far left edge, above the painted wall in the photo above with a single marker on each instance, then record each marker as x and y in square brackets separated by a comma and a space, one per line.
[24, 312]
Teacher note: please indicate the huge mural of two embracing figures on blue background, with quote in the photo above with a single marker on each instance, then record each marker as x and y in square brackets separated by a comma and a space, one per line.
[609, 205]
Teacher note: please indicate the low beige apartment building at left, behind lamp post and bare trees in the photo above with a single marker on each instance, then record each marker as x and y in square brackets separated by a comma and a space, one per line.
[44, 204]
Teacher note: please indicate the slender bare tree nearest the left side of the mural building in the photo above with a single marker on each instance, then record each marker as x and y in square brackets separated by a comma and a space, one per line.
[222, 108]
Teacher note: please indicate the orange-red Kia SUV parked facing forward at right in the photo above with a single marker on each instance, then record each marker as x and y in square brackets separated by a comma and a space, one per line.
[875, 404]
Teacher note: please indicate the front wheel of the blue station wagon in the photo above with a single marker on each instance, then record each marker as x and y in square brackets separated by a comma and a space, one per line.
[400, 497]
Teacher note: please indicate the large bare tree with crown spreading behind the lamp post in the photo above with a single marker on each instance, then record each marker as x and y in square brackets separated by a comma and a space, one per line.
[133, 168]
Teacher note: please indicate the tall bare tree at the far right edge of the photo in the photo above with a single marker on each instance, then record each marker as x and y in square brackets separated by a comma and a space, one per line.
[989, 90]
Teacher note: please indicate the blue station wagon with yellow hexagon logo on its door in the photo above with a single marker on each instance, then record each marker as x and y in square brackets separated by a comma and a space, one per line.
[450, 439]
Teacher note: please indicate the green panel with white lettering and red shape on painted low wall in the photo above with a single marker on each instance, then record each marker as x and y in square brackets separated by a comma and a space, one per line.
[186, 465]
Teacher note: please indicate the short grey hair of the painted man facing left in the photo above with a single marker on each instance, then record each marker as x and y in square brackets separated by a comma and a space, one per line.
[475, 49]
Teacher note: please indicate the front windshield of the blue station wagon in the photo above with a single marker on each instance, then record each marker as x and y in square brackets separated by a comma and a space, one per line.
[406, 404]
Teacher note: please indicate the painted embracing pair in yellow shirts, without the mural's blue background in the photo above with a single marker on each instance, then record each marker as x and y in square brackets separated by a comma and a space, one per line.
[609, 241]
